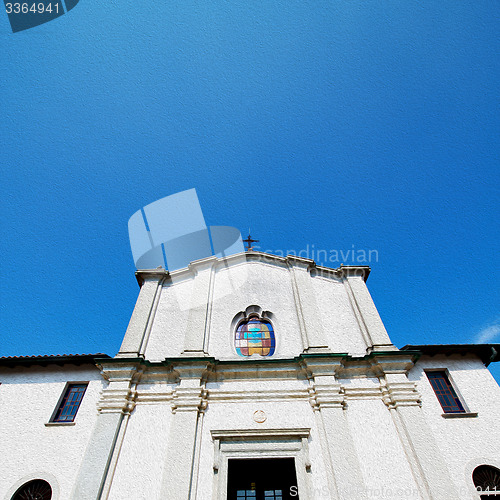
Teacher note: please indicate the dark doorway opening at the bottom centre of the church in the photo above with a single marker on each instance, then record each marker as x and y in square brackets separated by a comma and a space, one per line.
[262, 479]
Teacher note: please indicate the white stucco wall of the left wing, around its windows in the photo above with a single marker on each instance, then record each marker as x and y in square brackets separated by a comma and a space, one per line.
[31, 450]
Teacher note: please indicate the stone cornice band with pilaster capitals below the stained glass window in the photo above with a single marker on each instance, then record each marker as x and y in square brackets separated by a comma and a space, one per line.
[182, 381]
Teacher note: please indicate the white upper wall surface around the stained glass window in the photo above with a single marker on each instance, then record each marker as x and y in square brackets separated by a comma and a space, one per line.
[324, 303]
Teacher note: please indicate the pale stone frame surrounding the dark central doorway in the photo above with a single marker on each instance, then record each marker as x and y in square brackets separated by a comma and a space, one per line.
[261, 443]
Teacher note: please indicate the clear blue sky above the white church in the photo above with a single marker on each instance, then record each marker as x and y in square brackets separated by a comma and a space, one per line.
[333, 124]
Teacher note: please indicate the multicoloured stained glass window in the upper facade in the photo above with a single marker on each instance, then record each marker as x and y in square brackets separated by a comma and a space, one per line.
[255, 336]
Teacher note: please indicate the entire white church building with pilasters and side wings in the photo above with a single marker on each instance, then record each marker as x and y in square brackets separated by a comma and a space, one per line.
[253, 377]
